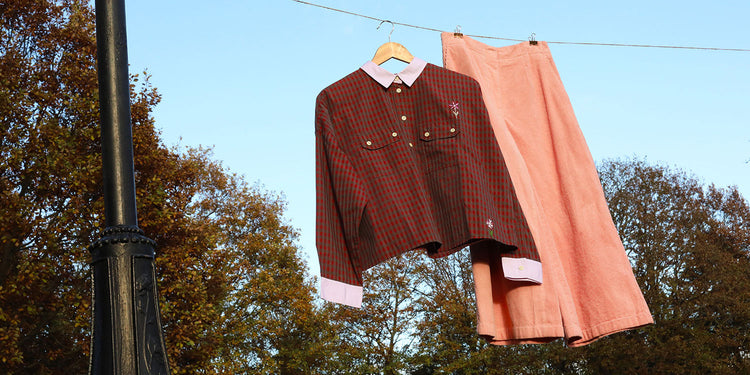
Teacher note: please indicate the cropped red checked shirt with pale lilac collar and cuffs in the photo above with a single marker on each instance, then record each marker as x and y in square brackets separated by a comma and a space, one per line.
[409, 164]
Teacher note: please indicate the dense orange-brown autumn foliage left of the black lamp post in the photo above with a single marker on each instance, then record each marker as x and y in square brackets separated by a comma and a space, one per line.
[48, 160]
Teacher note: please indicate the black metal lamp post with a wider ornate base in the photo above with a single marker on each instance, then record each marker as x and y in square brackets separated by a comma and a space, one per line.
[127, 335]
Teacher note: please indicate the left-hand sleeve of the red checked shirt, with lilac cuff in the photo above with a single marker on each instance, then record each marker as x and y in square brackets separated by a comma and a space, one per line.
[340, 201]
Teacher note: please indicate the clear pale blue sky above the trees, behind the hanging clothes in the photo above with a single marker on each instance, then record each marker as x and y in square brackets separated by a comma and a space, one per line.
[242, 77]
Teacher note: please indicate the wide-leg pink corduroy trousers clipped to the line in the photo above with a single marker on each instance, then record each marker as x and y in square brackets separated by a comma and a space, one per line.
[589, 289]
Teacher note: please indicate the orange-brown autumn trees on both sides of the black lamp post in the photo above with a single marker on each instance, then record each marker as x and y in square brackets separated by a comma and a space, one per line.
[234, 293]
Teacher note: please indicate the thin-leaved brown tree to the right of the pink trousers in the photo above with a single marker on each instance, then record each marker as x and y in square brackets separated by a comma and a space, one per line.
[690, 246]
